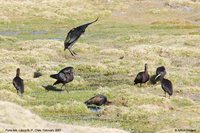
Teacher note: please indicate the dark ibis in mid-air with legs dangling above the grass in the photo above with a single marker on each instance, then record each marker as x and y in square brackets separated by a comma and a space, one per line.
[73, 35]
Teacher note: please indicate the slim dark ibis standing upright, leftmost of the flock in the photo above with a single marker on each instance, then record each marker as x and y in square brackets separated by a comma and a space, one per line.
[18, 83]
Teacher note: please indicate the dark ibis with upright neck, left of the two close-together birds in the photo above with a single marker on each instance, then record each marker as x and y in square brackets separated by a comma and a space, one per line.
[142, 77]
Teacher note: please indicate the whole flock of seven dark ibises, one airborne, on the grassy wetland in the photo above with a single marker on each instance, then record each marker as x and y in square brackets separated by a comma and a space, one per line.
[66, 75]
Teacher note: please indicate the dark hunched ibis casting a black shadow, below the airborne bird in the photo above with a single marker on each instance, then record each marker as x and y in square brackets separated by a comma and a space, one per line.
[66, 75]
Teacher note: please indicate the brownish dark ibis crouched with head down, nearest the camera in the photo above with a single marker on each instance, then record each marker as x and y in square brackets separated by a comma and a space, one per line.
[98, 100]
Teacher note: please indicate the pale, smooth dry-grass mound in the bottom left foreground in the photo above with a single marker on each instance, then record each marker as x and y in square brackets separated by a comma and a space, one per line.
[19, 118]
